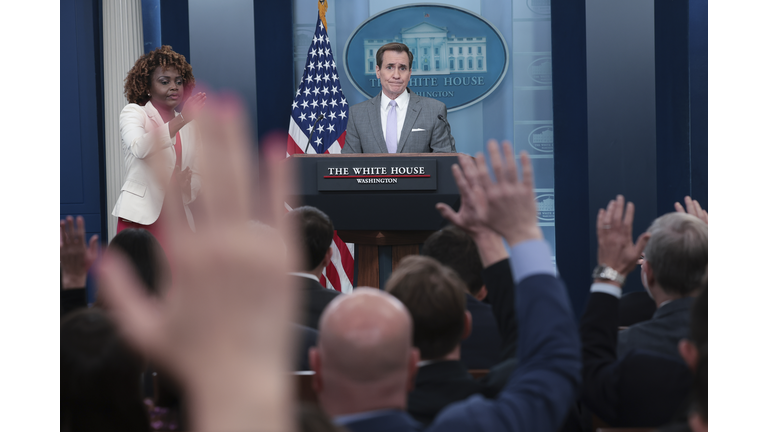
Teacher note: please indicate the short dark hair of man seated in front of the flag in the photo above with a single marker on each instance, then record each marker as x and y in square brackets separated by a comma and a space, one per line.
[316, 234]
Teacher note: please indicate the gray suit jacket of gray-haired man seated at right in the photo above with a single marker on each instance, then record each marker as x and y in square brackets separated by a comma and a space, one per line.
[661, 333]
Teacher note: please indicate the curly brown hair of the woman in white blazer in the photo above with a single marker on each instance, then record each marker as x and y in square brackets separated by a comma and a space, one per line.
[137, 83]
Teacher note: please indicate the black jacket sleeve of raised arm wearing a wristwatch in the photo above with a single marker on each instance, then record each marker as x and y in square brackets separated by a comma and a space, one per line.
[639, 389]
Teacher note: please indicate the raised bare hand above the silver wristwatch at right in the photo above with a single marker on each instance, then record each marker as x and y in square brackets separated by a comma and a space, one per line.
[614, 237]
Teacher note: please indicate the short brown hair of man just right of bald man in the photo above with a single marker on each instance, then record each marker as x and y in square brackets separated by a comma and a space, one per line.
[435, 297]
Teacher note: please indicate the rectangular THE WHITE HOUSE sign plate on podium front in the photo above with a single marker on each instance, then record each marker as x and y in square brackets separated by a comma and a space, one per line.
[372, 174]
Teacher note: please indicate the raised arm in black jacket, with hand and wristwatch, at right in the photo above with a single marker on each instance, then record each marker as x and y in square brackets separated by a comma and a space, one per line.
[641, 388]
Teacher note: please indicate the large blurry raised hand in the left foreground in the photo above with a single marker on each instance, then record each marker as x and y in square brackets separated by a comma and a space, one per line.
[224, 327]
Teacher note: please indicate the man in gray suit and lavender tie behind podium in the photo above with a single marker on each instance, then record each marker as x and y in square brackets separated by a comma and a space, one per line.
[397, 120]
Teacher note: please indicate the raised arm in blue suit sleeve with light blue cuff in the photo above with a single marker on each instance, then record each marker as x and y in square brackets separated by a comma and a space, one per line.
[545, 383]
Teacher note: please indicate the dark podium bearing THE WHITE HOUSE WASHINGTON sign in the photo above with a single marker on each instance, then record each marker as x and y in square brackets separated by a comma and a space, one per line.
[405, 205]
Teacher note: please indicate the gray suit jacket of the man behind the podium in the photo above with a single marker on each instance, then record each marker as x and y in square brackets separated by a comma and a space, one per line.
[422, 132]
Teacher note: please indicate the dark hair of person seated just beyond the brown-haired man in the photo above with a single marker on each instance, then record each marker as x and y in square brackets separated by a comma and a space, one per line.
[454, 248]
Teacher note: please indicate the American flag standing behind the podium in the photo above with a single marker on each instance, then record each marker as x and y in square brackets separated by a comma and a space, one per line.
[319, 96]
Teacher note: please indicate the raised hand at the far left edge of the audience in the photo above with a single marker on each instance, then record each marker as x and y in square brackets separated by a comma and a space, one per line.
[75, 257]
